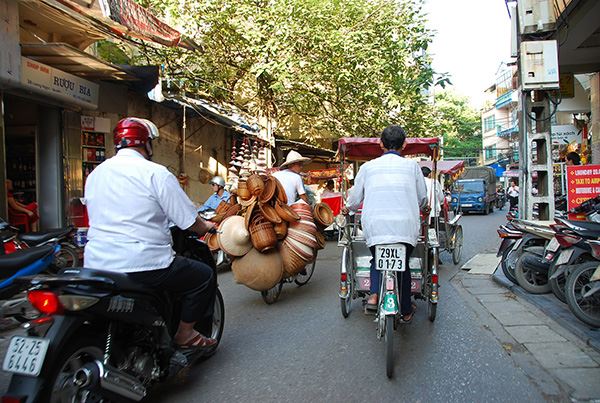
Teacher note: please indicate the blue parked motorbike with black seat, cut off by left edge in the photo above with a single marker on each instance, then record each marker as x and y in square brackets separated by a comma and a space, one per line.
[21, 263]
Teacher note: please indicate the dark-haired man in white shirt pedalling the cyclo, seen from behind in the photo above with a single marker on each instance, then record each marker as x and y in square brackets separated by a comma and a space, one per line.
[392, 190]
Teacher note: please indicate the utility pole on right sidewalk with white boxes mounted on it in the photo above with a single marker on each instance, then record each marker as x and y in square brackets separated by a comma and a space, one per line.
[539, 79]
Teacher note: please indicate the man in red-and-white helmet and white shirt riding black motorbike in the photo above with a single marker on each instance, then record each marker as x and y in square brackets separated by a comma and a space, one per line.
[131, 202]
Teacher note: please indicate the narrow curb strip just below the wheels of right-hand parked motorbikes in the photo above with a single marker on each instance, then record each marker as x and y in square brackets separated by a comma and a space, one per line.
[574, 326]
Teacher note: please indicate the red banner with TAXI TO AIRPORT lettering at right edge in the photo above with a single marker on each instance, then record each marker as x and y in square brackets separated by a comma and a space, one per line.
[583, 183]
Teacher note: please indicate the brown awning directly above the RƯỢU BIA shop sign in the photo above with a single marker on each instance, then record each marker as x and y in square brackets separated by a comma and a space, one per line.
[67, 58]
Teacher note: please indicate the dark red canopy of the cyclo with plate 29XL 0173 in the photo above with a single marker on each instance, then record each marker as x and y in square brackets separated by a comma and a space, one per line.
[363, 149]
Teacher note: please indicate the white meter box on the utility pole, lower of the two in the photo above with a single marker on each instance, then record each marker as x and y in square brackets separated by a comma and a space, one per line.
[539, 65]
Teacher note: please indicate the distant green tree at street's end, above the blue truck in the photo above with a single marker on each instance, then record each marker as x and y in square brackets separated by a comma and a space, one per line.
[460, 125]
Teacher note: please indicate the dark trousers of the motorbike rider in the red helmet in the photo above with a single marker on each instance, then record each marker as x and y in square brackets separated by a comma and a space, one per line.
[189, 280]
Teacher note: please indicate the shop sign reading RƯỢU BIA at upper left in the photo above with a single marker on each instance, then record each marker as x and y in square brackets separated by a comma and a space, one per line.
[59, 84]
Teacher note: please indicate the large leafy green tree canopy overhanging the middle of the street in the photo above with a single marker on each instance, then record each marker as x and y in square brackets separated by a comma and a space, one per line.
[317, 67]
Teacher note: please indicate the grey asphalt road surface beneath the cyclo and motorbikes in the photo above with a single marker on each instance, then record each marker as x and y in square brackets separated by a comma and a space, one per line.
[302, 349]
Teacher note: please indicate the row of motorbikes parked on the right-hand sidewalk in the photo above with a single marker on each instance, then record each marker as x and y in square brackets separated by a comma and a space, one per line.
[561, 258]
